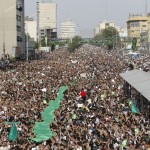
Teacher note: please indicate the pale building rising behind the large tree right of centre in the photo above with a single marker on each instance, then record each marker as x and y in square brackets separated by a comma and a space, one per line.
[102, 25]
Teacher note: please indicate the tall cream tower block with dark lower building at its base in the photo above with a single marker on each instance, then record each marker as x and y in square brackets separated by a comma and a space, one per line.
[46, 20]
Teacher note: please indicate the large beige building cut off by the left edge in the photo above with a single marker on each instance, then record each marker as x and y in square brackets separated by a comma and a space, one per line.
[12, 36]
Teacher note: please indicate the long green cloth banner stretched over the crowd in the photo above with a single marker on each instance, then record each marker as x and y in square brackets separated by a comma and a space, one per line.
[42, 129]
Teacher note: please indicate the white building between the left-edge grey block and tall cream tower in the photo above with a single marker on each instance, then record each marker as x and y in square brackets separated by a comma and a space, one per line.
[30, 28]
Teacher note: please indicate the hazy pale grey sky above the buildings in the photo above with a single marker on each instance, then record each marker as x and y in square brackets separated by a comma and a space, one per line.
[88, 13]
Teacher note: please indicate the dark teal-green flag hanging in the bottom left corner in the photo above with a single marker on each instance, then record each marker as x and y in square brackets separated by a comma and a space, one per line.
[13, 135]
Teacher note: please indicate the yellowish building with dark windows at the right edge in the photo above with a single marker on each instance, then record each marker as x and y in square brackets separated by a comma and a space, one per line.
[136, 26]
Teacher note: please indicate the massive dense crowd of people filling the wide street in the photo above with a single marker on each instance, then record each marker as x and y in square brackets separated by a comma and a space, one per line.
[91, 116]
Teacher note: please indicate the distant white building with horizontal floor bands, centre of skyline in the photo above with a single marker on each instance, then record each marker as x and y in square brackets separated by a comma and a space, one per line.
[69, 30]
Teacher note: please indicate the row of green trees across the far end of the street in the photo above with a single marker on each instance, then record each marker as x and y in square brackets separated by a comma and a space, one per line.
[109, 38]
